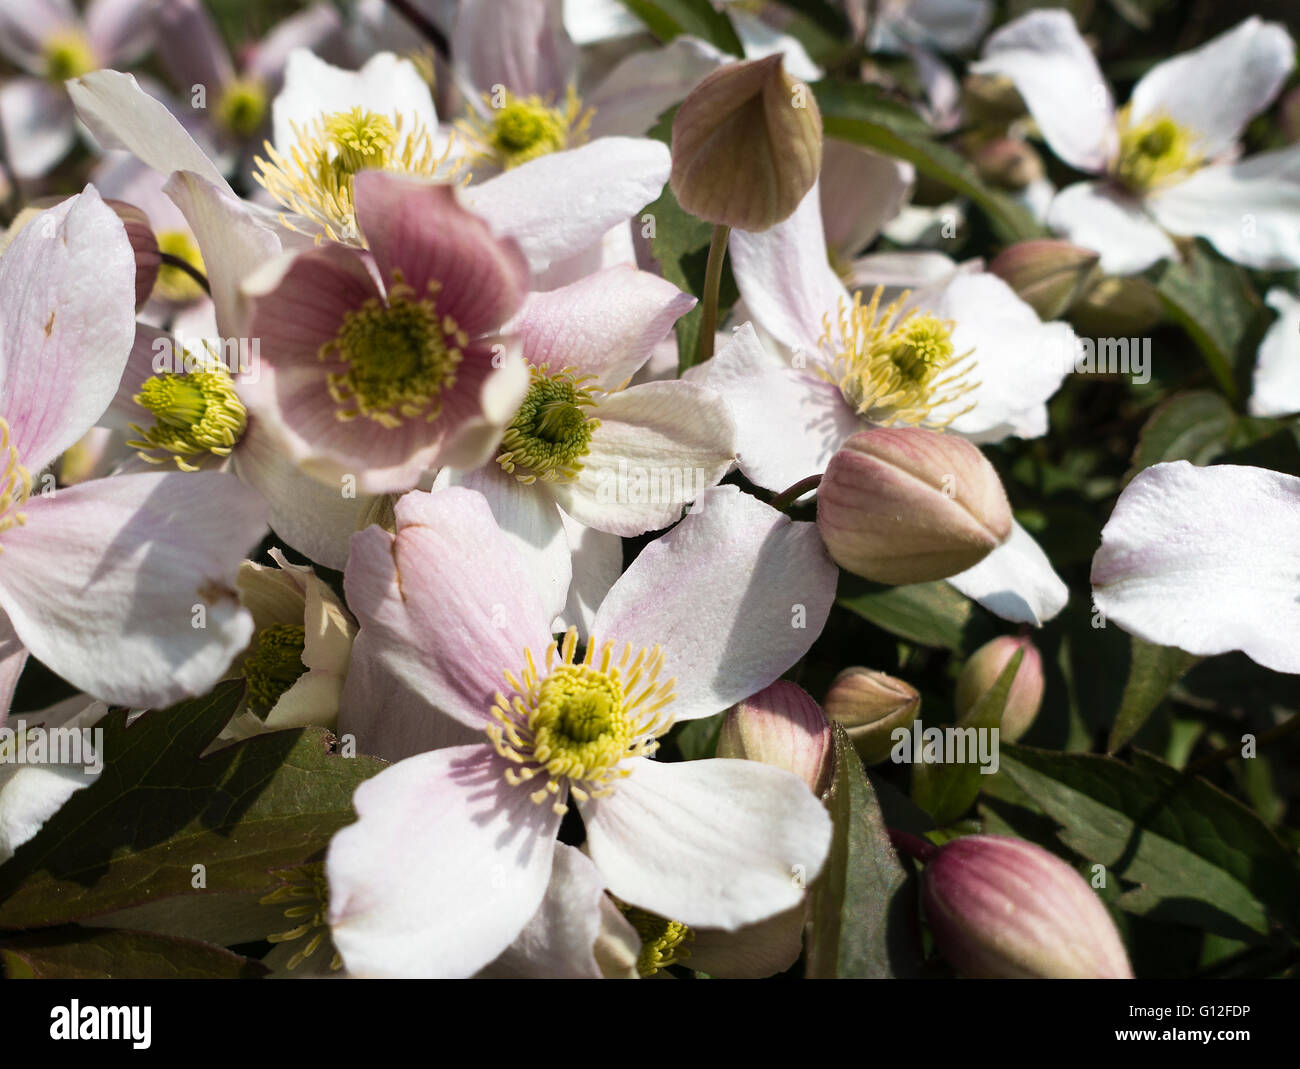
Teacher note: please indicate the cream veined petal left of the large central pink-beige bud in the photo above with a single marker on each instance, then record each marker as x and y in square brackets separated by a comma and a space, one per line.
[657, 449]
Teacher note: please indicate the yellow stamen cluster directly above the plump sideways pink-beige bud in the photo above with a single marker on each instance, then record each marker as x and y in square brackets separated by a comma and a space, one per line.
[894, 366]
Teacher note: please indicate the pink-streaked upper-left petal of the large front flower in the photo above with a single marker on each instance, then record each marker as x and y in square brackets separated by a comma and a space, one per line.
[450, 599]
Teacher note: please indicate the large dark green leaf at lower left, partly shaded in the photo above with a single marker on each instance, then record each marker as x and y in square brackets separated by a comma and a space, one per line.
[158, 811]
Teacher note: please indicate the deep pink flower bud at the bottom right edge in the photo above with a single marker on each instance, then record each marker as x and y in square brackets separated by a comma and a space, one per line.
[1004, 908]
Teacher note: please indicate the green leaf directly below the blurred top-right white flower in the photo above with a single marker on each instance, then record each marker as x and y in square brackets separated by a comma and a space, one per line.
[1214, 301]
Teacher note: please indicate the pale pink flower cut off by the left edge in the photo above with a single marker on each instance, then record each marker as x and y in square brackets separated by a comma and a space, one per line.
[124, 586]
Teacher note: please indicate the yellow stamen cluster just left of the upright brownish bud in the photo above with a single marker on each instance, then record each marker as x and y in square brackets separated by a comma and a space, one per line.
[518, 129]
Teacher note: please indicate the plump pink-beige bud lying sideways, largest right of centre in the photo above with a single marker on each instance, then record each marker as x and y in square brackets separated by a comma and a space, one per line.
[908, 505]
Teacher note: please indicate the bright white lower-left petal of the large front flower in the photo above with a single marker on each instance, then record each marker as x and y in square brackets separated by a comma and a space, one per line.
[443, 871]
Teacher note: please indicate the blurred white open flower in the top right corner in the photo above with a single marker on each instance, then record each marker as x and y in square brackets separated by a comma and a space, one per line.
[1168, 159]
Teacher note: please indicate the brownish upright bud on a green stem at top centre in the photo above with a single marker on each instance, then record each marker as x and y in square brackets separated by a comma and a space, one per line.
[747, 146]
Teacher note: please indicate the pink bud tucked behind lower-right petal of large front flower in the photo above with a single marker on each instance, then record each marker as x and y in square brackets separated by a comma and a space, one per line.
[782, 726]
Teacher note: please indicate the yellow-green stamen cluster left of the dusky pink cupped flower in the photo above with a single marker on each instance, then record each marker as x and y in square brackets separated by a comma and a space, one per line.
[196, 414]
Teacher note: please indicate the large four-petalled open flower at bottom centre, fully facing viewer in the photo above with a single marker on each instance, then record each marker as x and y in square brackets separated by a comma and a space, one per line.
[453, 851]
